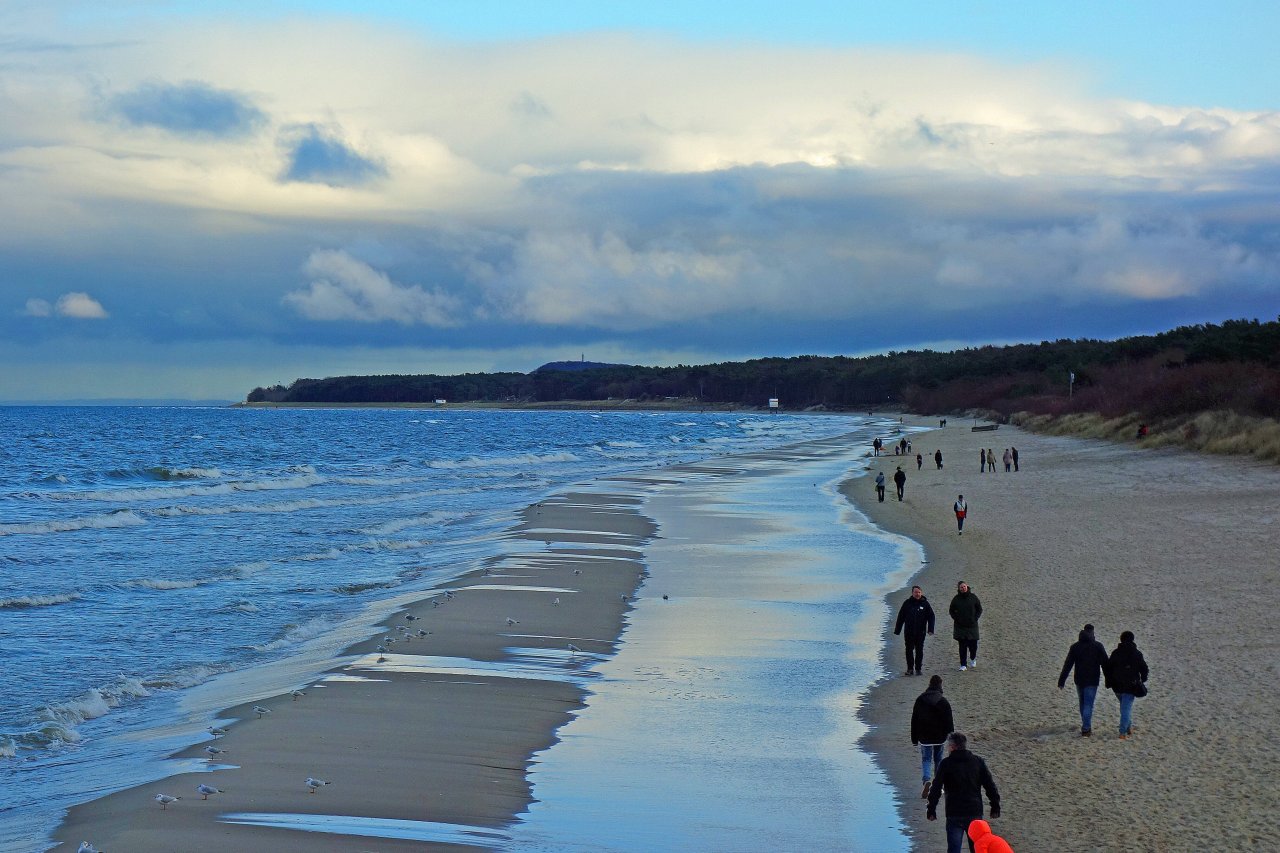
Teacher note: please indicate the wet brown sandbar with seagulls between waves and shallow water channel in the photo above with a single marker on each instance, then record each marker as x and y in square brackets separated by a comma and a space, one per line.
[440, 746]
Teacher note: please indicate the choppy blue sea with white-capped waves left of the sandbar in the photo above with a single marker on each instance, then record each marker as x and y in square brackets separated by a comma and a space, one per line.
[148, 553]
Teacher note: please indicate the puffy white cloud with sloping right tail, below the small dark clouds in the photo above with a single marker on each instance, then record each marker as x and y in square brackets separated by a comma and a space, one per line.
[346, 289]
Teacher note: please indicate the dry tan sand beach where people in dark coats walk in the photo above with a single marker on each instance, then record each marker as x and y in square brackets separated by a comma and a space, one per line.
[1177, 548]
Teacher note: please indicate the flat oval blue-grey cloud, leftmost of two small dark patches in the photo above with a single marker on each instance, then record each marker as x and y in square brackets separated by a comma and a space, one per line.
[189, 110]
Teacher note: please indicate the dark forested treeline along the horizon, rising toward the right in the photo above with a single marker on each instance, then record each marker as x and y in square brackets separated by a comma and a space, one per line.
[1233, 366]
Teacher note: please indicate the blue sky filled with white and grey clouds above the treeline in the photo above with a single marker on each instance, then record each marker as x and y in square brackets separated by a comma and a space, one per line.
[198, 199]
